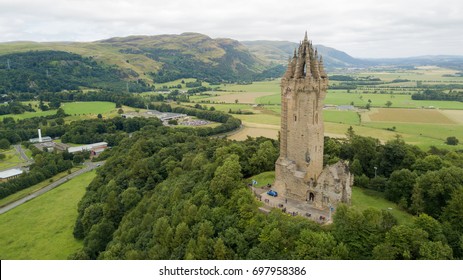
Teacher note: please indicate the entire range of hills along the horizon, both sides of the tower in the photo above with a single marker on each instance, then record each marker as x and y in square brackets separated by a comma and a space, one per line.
[163, 58]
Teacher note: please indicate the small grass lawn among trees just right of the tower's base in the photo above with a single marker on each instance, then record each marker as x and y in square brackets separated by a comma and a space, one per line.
[363, 199]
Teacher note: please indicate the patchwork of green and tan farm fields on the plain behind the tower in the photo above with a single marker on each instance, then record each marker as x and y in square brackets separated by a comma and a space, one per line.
[421, 122]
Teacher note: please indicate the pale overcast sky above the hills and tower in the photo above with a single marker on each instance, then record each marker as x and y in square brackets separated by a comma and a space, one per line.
[362, 28]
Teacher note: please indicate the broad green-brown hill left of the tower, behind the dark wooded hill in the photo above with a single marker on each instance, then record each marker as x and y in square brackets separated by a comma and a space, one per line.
[164, 57]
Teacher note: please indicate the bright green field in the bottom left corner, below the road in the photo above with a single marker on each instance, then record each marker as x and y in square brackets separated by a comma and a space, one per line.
[31, 231]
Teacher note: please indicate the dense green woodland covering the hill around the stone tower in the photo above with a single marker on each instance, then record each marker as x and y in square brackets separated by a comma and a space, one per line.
[170, 194]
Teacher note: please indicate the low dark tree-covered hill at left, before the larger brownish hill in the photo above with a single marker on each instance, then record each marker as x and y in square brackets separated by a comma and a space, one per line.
[54, 71]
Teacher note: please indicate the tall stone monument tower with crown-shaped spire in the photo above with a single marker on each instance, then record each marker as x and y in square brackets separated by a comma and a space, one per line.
[299, 169]
